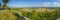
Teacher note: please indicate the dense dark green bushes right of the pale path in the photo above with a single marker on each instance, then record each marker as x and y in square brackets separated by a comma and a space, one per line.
[41, 15]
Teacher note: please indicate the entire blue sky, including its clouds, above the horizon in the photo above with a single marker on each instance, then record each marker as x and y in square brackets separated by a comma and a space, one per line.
[33, 3]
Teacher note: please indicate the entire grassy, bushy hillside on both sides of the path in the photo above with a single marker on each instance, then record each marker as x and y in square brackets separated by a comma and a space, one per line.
[33, 14]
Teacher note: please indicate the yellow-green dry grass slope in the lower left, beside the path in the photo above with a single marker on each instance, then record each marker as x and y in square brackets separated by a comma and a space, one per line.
[6, 15]
